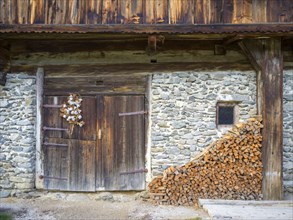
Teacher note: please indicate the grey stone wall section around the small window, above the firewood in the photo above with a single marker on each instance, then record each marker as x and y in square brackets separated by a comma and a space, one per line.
[183, 111]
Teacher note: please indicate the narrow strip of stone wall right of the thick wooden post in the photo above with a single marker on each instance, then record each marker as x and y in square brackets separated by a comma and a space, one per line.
[288, 134]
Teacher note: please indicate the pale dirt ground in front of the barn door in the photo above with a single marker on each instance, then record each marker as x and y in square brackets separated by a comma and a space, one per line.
[93, 206]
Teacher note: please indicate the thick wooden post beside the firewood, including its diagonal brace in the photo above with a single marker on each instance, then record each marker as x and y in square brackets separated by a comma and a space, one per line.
[267, 59]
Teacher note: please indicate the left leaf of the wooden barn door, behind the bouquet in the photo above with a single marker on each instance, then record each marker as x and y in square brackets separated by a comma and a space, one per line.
[69, 158]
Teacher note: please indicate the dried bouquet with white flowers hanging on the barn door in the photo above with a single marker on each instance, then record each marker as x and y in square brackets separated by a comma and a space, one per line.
[71, 111]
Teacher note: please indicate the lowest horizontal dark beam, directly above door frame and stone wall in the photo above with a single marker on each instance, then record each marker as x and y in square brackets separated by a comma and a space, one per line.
[132, 69]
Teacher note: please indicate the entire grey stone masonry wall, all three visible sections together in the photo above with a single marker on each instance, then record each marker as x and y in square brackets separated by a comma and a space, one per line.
[183, 117]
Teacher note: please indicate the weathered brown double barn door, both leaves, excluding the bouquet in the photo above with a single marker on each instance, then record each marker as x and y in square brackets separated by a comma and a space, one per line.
[107, 153]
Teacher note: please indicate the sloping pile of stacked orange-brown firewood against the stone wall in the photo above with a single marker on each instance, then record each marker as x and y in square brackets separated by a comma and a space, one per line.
[229, 168]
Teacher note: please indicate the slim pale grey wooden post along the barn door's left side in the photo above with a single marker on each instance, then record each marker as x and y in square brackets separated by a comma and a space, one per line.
[39, 131]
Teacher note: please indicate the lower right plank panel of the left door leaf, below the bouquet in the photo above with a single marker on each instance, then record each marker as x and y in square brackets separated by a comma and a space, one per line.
[81, 165]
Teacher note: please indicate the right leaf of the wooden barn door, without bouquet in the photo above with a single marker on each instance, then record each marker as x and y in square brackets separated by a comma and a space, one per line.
[121, 146]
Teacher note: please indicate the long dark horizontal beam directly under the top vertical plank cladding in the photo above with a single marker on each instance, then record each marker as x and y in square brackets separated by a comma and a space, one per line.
[268, 28]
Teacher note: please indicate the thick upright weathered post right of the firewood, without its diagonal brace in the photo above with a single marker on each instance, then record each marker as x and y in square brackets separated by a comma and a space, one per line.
[273, 120]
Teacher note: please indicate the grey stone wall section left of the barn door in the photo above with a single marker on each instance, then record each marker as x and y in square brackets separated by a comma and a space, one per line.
[17, 134]
